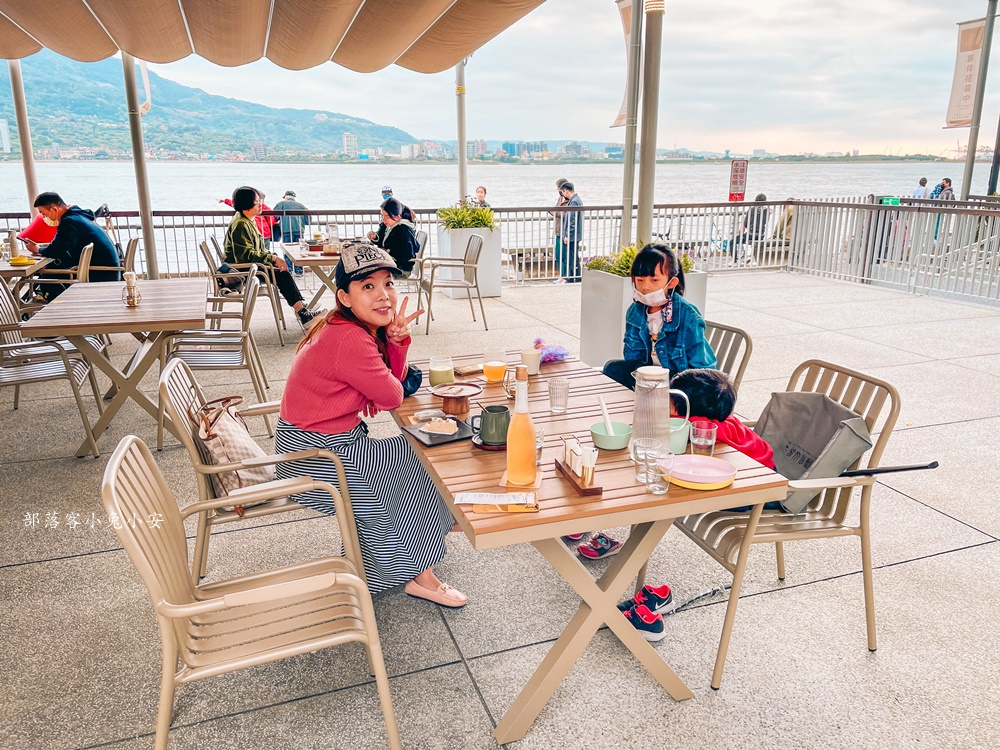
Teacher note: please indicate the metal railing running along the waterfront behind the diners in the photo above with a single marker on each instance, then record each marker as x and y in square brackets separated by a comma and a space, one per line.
[922, 246]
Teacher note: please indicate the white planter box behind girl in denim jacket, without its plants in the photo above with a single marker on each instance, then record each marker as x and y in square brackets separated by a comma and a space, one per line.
[604, 299]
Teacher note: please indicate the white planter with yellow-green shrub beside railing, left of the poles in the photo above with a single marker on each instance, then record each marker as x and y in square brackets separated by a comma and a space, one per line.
[455, 225]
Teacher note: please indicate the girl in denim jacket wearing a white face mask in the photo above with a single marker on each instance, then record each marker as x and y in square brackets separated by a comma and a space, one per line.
[661, 327]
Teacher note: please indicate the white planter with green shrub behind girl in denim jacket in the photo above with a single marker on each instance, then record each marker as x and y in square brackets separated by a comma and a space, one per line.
[606, 295]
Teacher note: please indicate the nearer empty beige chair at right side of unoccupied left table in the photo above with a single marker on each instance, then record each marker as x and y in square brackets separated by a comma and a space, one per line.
[222, 349]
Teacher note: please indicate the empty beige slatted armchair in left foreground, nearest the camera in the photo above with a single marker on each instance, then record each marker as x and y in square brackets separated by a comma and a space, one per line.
[211, 629]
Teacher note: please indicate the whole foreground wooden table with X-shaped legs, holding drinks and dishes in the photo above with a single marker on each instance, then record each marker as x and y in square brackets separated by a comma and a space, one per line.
[461, 467]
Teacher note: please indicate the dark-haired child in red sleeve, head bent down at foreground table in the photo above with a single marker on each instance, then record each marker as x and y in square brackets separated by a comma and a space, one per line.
[713, 398]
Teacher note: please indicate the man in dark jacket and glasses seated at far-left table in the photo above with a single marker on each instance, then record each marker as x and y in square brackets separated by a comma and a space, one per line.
[76, 229]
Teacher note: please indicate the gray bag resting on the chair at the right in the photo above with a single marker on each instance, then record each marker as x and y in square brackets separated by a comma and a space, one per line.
[813, 437]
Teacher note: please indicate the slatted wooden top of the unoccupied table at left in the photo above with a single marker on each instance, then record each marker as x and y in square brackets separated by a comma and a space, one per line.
[167, 305]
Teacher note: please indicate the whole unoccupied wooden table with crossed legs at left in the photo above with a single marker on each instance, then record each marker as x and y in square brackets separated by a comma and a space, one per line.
[83, 310]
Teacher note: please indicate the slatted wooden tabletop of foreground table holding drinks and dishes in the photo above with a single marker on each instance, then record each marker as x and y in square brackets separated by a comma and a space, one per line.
[461, 467]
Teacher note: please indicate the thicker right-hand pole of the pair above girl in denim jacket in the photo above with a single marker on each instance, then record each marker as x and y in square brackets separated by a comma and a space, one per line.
[650, 105]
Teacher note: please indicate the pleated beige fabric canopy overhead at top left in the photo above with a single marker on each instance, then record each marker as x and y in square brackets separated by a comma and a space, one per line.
[427, 36]
